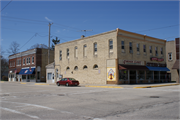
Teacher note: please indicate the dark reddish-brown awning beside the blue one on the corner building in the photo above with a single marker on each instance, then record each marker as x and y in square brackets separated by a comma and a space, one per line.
[132, 67]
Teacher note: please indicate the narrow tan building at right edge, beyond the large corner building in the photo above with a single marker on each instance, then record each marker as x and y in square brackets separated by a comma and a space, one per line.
[171, 59]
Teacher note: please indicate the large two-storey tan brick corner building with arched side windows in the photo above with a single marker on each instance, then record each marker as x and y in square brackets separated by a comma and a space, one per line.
[114, 57]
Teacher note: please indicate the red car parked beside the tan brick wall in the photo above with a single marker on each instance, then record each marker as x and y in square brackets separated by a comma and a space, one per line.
[68, 82]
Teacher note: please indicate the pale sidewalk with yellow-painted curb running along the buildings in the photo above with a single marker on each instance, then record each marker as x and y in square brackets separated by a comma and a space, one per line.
[107, 85]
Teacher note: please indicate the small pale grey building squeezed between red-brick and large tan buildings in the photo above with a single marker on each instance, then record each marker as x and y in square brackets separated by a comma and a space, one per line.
[50, 73]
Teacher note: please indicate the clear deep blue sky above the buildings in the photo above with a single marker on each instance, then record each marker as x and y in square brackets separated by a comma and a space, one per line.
[21, 20]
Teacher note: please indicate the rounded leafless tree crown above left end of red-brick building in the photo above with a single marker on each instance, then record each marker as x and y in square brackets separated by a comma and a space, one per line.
[14, 48]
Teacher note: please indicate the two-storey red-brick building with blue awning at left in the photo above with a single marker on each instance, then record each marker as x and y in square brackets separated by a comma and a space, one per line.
[29, 66]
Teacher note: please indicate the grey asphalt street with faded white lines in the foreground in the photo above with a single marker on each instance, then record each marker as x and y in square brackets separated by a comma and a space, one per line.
[25, 101]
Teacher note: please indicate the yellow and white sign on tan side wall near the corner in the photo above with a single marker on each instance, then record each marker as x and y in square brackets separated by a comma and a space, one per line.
[111, 74]
